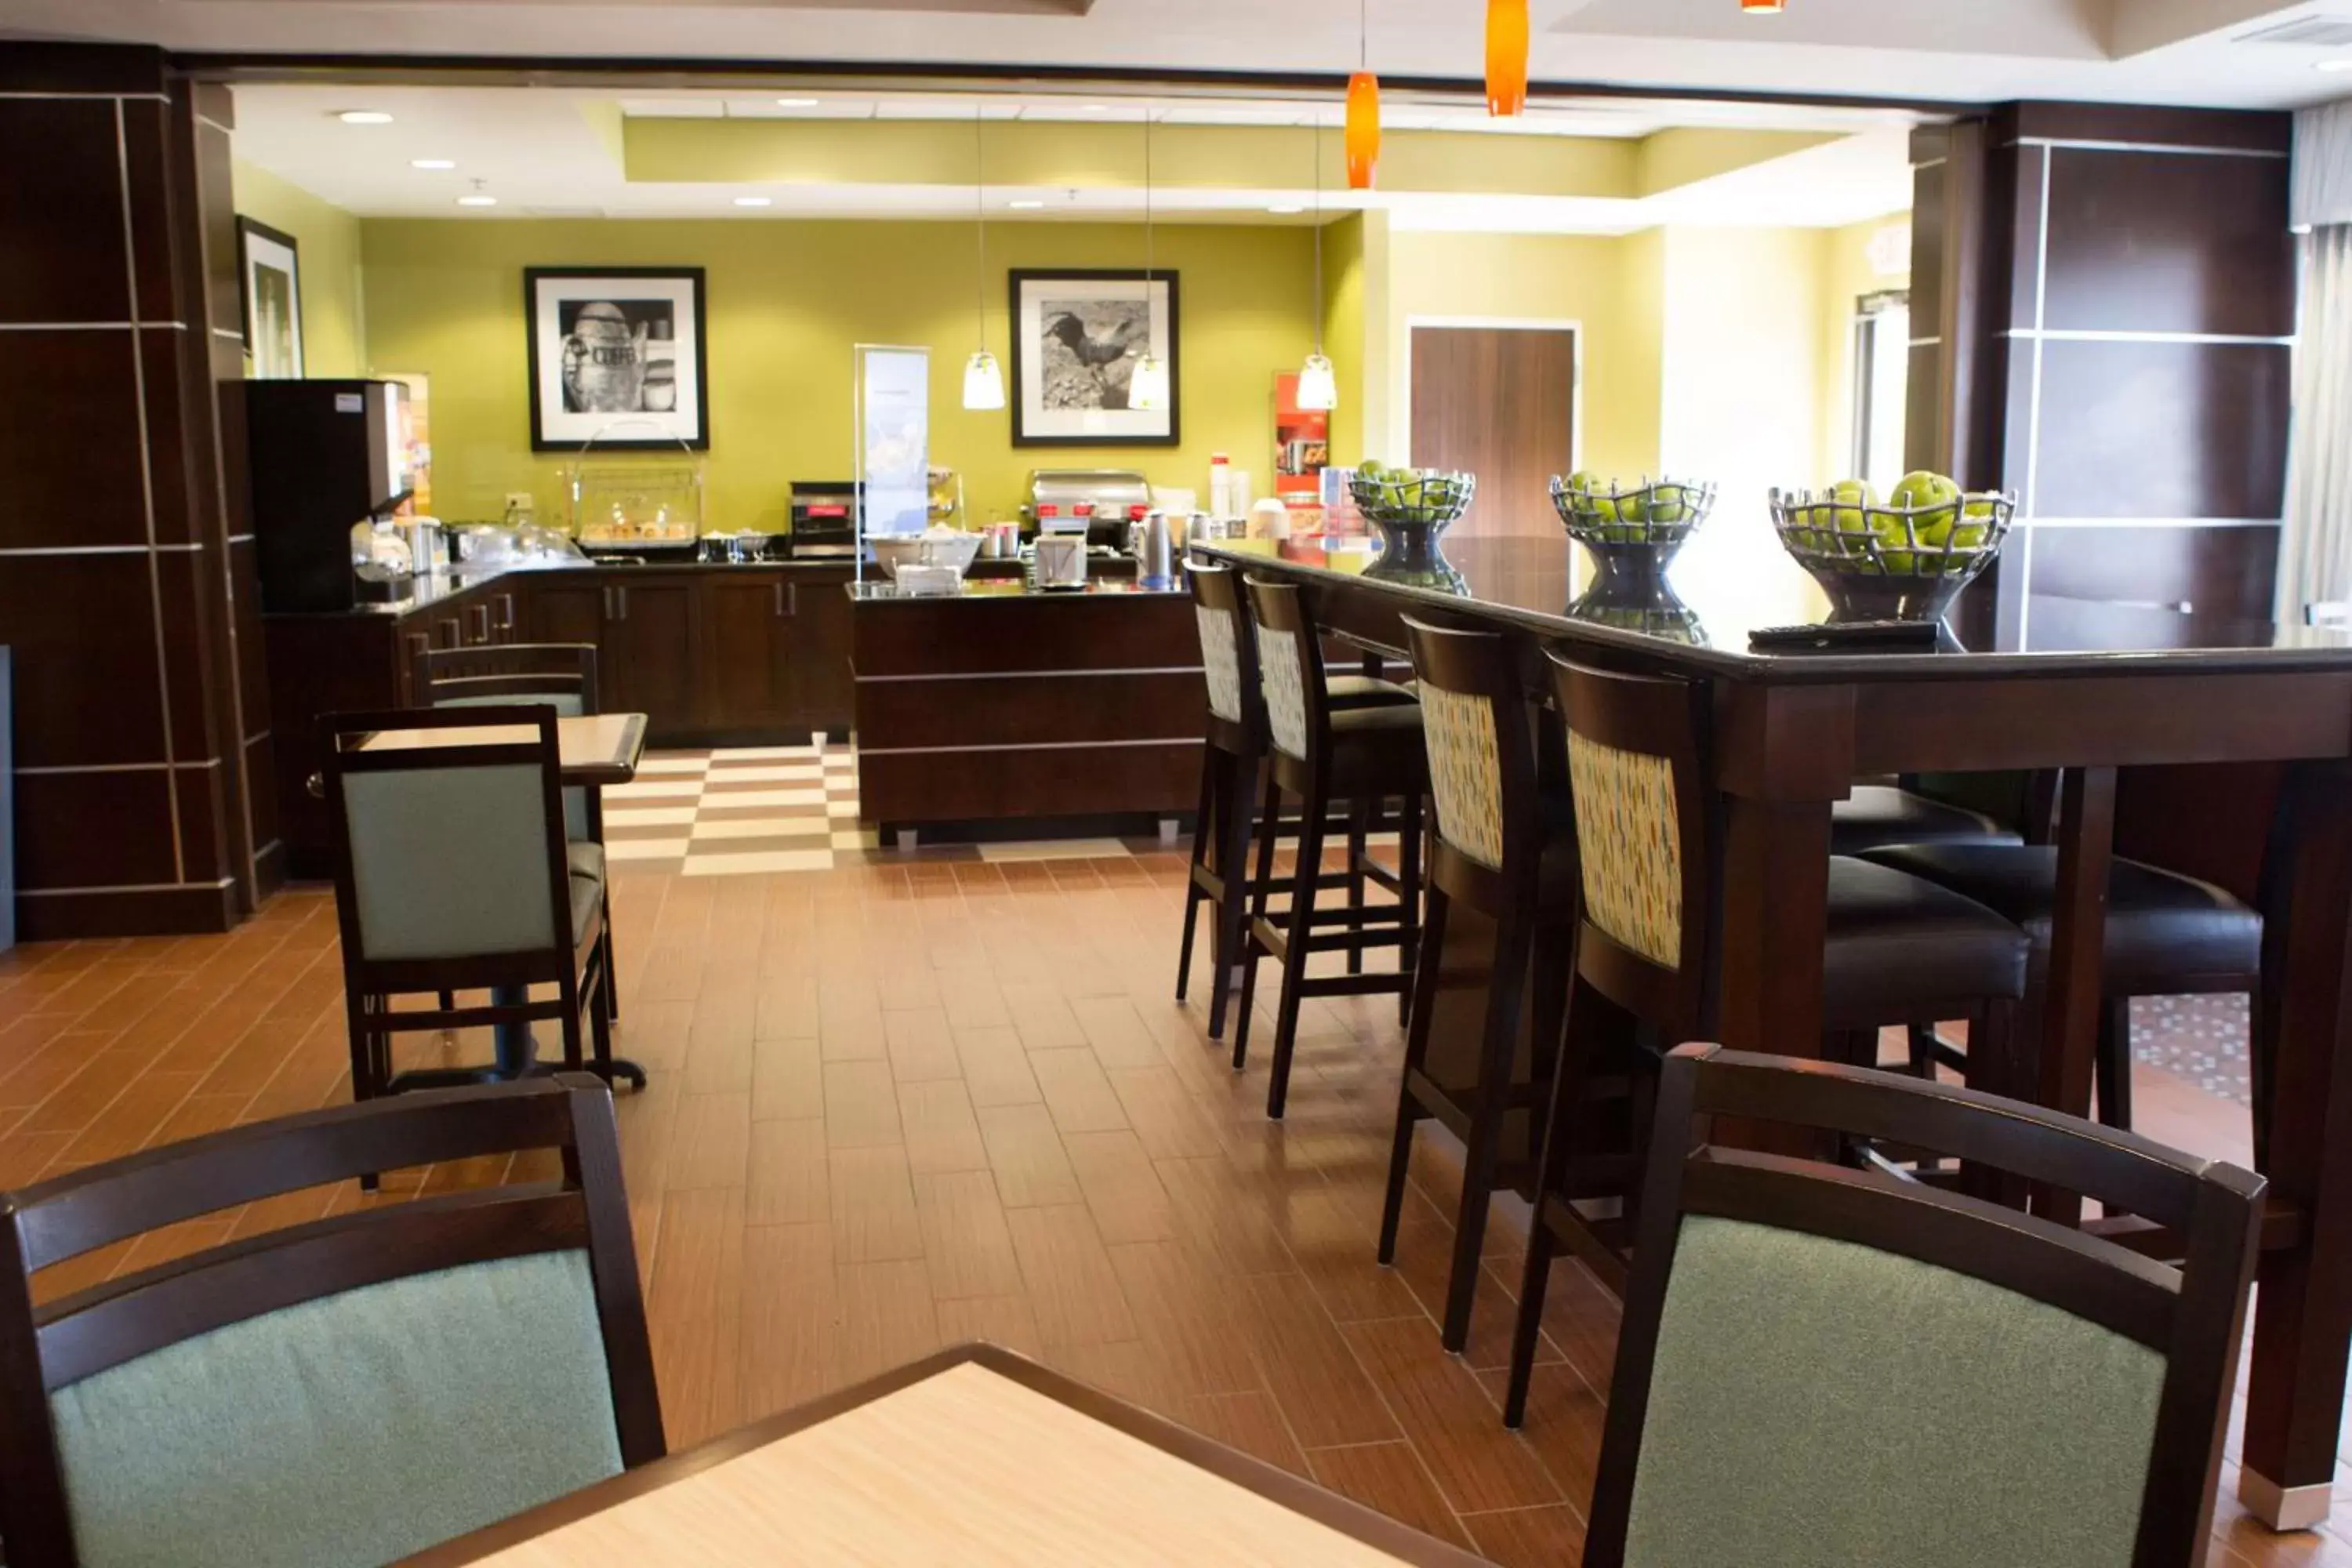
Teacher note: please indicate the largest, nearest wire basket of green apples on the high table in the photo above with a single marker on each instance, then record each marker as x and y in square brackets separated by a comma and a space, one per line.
[1902, 563]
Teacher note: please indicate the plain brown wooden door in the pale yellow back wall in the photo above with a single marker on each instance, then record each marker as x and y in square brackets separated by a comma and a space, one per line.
[1497, 403]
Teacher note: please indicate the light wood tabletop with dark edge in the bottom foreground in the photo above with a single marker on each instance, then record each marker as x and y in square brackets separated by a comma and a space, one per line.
[975, 1456]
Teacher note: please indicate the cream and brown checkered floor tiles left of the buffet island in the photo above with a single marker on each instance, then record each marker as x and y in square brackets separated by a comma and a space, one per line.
[740, 812]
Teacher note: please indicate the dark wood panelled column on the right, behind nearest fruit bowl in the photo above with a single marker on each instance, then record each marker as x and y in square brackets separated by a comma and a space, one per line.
[2113, 302]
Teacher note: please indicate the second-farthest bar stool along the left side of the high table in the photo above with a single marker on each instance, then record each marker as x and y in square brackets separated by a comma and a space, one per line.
[1325, 756]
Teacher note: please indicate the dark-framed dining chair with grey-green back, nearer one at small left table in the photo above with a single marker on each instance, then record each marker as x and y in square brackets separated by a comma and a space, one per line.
[453, 873]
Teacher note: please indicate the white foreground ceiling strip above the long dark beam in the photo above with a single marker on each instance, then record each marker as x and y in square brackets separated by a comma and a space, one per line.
[1963, 51]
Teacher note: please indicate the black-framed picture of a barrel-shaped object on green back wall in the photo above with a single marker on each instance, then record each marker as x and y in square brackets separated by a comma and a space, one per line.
[617, 356]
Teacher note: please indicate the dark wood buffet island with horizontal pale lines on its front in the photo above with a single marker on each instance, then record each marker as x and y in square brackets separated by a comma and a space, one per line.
[1005, 711]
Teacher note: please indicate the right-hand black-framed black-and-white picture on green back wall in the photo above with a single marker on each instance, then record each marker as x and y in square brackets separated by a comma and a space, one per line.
[1078, 337]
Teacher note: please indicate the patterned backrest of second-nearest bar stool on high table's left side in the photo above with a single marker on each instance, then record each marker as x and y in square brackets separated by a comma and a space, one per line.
[1483, 770]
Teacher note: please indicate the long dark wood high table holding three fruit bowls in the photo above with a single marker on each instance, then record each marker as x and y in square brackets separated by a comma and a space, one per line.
[2094, 690]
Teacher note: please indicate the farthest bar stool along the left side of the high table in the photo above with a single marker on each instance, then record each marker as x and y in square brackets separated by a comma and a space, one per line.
[1234, 756]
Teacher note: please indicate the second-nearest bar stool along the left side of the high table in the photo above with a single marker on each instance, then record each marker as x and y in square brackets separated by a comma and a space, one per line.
[1502, 852]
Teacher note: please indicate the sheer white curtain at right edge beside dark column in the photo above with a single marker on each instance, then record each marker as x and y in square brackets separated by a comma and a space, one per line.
[2316, 547]
